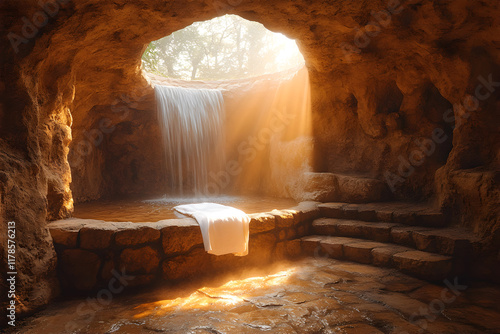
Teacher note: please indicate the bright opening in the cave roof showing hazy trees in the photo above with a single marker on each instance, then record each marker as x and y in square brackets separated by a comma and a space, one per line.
[226, 47]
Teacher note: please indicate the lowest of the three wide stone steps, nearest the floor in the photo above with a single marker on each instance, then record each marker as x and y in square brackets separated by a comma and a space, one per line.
[424, 265]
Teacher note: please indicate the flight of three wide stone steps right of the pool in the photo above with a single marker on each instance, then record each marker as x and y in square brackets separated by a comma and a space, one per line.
[407, 236]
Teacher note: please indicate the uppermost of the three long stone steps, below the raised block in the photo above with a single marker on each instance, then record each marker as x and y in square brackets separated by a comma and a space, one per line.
[414, 214]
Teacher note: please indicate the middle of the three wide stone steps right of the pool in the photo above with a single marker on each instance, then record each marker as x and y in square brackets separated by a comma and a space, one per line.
[446, 241]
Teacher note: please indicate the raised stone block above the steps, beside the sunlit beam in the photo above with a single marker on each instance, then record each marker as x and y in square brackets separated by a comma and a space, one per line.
[328, 187]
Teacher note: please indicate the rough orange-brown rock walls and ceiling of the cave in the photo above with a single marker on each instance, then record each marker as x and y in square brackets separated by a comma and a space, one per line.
[389, 80]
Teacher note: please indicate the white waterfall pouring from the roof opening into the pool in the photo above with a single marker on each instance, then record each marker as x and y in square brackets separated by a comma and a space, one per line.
[191, 122]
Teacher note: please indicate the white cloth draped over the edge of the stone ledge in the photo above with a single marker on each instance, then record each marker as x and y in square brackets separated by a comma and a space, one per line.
[224, 229]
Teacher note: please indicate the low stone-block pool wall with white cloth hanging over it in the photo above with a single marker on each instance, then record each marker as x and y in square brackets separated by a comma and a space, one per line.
[90, 251]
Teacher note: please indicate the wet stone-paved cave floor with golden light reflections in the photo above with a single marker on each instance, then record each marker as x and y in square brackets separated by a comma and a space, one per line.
[306, 296]
